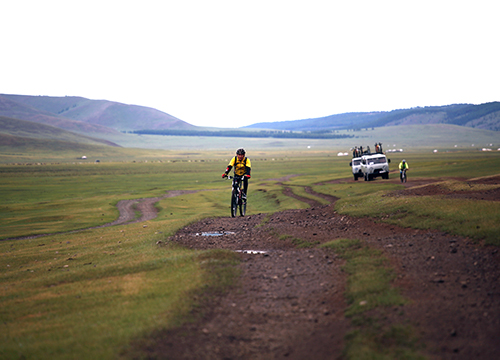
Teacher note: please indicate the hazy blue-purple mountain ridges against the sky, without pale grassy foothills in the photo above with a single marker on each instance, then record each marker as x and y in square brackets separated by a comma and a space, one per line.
[99, 118]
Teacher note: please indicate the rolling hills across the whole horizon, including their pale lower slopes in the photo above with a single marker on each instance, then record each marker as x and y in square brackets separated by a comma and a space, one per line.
[43, 122]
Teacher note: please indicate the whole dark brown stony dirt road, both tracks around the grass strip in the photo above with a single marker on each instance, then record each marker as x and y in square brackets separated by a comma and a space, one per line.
[290, 300]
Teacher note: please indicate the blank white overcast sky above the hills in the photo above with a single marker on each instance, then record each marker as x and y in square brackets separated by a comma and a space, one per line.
[235, 63]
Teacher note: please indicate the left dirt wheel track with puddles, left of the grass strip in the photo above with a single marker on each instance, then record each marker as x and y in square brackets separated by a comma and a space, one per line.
[289, 302]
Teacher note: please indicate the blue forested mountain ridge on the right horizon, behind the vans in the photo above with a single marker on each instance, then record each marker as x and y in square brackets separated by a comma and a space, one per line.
[485, 116]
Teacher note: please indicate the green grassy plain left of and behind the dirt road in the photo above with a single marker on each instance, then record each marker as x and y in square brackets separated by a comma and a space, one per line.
[87, 294]
